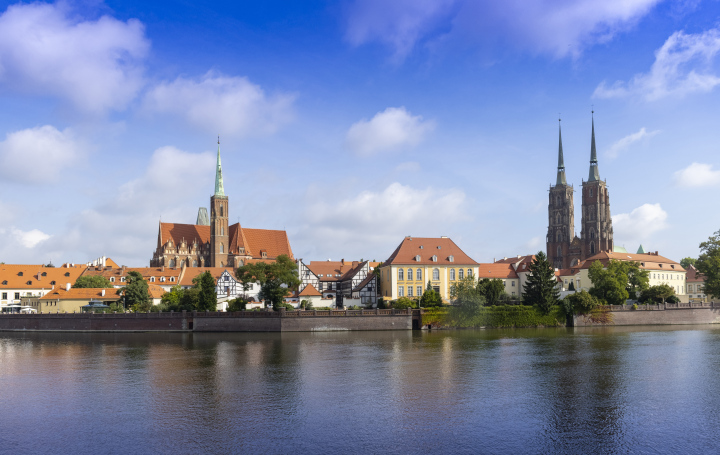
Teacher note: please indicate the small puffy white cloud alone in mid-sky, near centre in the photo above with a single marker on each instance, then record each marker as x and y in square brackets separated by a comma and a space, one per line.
[390, 130]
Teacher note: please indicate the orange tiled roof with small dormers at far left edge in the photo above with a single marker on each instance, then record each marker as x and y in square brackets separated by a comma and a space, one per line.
[23, 276]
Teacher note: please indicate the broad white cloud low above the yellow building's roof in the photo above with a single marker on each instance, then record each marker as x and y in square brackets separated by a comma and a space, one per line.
[375, 221]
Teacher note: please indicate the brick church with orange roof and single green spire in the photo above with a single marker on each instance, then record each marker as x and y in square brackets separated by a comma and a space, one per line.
[212, 242]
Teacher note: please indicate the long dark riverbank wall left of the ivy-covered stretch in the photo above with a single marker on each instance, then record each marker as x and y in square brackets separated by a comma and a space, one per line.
[244, 321]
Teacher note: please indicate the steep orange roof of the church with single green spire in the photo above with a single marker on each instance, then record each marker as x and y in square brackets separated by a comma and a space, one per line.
[252, 241]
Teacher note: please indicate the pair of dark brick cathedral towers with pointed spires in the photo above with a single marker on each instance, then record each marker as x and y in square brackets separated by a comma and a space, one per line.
[564, 248]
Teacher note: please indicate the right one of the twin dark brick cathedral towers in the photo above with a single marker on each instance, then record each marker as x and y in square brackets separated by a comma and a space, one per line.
[597, 232]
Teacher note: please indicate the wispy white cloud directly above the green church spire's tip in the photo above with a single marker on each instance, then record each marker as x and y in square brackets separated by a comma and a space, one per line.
[217, 103]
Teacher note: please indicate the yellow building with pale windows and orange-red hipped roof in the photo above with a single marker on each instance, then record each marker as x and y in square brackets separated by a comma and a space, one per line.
[419, 260]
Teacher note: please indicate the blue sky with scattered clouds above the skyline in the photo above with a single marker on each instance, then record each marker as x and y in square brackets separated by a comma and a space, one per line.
[354, 123]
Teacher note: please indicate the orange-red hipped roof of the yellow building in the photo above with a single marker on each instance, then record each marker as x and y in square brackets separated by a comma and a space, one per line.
[420, 250]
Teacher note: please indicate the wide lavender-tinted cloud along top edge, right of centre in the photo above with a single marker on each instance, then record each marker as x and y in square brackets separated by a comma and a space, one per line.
[547, 26]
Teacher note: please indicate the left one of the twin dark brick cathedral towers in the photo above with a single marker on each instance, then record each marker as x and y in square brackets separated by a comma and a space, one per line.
[561, 213]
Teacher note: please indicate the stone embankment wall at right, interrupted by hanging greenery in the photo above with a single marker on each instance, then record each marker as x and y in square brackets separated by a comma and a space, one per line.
[667, 314]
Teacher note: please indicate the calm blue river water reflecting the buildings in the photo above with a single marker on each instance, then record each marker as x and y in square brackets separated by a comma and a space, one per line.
[610, 390]
